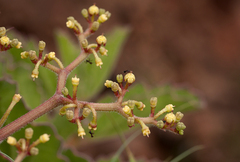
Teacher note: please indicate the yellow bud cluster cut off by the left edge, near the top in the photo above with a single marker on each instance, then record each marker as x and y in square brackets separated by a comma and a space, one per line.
[6, 43]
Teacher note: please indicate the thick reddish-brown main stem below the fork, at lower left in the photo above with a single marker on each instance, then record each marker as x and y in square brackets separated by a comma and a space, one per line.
[22, 121]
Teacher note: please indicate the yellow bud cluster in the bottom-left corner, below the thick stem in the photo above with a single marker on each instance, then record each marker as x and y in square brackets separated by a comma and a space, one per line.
[23, 145]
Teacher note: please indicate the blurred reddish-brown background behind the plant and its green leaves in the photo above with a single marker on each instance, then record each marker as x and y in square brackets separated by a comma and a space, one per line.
[195, 44]
